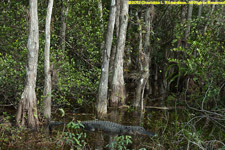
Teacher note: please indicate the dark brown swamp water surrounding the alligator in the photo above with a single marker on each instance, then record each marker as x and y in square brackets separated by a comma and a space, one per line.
[151, 120]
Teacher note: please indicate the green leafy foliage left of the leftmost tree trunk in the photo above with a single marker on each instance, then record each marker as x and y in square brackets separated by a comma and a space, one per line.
[12, 50]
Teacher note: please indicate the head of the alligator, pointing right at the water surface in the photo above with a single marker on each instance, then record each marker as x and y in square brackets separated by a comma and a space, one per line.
[138, 130]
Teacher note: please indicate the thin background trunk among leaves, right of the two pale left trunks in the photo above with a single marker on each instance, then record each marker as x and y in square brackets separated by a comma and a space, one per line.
[64, 13]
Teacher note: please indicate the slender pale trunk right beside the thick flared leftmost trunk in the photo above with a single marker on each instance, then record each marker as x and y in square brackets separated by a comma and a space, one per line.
[48, 84]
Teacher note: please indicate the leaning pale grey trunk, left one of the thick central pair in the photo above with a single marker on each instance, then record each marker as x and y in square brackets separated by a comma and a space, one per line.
[103, 85]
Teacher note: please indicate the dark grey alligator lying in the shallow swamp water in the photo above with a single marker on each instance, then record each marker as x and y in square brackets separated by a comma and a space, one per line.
[110, 128]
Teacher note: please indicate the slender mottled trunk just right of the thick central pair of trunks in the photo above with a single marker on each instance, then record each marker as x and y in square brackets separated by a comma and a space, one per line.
[144, 60]
